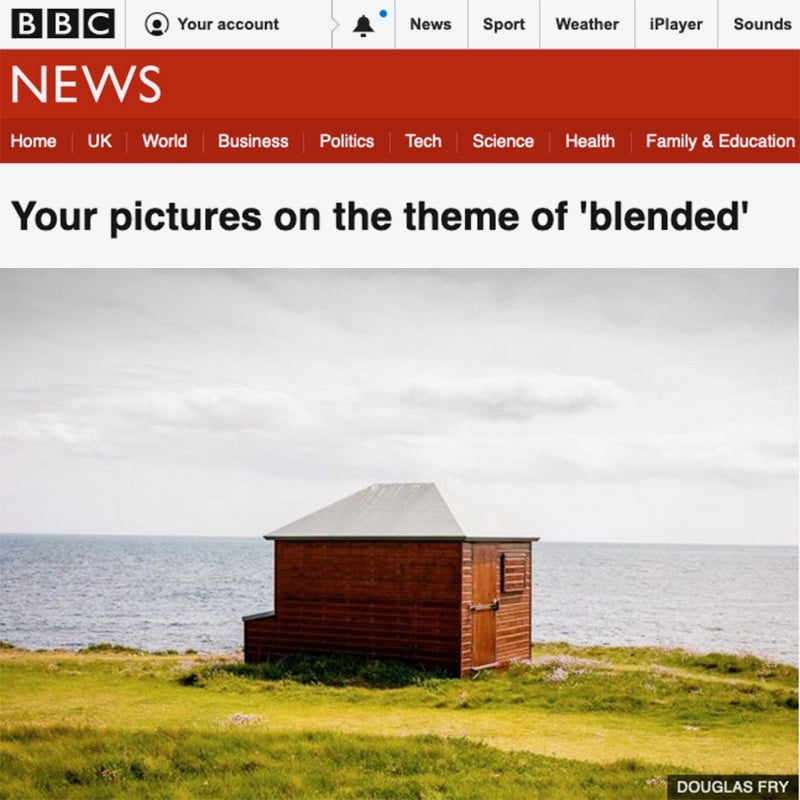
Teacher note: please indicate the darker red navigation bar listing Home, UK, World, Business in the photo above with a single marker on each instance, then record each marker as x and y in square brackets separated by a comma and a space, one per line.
[400, 141]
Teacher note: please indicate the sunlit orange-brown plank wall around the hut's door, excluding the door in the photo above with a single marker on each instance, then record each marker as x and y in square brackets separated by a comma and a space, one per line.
[513, 617]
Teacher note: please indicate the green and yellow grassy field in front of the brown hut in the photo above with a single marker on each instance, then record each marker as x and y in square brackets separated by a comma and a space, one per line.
[595, 723]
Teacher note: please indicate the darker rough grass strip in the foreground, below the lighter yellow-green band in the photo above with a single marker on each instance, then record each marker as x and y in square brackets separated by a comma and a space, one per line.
[81, 763]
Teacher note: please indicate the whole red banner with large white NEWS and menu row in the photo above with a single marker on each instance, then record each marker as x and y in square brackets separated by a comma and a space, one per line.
[403, 106]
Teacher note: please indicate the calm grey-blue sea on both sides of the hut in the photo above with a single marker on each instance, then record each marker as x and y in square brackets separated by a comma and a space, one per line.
[183, 592]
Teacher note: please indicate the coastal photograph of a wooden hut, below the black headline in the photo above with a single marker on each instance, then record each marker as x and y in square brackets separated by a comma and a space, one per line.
[397, 533]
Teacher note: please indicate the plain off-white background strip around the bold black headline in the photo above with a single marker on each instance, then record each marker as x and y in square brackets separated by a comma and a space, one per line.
[768, 235]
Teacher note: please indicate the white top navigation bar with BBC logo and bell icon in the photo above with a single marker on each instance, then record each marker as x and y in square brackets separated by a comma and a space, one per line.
[402, 24]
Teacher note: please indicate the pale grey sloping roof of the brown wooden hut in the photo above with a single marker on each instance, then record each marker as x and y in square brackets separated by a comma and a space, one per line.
[383, 510]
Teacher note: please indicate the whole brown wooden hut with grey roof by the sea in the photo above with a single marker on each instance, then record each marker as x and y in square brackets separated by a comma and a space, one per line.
[388, 573]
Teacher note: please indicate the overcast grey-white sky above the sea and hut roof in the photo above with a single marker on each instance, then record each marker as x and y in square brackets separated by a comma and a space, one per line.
[605, 405]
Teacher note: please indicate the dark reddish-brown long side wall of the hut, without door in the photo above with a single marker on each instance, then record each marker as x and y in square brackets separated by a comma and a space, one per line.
[384, 599]
